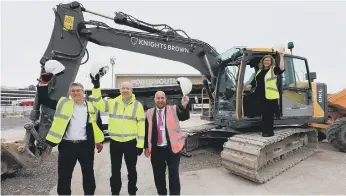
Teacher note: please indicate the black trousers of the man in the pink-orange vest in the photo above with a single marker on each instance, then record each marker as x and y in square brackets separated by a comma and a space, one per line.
[160, 158]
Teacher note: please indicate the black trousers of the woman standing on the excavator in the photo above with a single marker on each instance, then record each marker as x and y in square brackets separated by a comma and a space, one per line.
[268, 109]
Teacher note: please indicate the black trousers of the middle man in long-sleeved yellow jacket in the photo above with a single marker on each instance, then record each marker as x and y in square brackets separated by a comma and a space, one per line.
[129, 150]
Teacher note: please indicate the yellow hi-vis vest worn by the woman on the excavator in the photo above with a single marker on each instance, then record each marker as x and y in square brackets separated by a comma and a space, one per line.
[271, 90]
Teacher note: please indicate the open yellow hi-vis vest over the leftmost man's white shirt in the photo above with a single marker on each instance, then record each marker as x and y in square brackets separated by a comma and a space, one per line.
[62, 117]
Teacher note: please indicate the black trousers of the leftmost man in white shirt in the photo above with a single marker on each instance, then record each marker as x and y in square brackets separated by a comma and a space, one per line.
[69, 153]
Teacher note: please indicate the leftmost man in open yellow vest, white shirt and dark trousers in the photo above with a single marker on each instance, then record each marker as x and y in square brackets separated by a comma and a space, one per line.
[75, 131]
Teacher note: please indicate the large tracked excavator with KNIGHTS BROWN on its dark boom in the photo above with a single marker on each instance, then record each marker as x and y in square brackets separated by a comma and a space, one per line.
[234, 120]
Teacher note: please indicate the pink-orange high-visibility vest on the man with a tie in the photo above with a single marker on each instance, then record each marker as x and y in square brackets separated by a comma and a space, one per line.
[173, 128]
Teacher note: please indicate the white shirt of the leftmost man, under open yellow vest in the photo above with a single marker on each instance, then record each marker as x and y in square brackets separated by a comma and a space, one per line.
[77, 128]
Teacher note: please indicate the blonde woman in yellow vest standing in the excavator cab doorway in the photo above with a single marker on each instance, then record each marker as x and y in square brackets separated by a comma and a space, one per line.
[267, 92]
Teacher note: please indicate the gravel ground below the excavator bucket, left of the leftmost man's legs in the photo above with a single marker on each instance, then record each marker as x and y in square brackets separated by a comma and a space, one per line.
[37, 181]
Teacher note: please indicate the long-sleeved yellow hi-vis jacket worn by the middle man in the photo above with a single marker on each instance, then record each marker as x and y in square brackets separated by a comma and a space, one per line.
[125, 123]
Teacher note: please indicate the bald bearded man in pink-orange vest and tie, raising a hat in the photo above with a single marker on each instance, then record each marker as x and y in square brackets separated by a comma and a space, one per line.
[164, 141]
